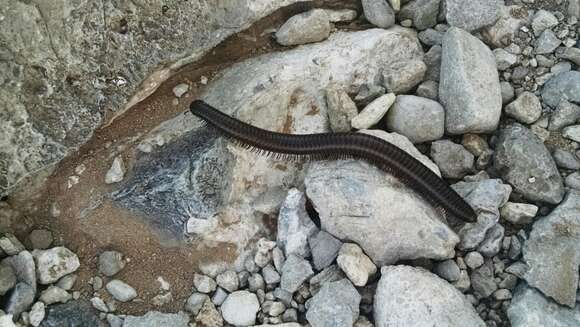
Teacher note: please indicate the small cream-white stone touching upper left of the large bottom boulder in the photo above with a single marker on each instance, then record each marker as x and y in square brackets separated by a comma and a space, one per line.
[355, 264]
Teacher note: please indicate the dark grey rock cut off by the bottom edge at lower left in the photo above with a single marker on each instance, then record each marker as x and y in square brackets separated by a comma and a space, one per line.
[73, 313]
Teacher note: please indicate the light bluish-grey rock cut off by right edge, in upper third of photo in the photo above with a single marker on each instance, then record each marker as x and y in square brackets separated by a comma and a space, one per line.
[563, 86]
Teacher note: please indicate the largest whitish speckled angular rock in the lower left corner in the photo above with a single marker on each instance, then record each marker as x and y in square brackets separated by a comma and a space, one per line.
[55, 263]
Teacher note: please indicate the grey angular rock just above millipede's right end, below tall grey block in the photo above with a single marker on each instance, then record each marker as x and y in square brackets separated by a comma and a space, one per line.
[453, 159]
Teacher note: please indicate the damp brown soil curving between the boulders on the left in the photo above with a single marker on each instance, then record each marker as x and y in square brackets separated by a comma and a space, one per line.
[88, 223]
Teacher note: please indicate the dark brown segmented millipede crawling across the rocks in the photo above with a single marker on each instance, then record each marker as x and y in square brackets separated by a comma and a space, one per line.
[328, 146]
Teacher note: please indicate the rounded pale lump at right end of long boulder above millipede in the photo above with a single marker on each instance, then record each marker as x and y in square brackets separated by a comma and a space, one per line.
[403, 76]
